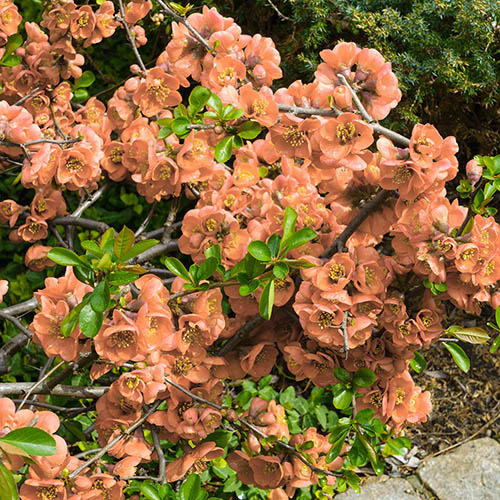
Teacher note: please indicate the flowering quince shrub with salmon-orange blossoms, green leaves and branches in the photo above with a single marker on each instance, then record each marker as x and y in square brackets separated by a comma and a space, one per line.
[267, 351]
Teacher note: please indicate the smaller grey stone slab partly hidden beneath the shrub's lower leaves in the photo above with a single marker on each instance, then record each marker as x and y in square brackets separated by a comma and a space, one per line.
[383, 488]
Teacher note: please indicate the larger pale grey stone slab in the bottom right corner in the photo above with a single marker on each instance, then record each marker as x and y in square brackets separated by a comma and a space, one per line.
[470, 472]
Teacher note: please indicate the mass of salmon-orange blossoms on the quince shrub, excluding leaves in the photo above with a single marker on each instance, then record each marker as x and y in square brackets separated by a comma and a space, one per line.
[324, 166]
